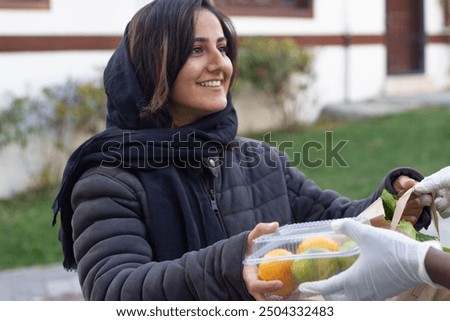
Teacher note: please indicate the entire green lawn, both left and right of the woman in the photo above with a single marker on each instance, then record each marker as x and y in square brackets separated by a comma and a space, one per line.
[418, 139]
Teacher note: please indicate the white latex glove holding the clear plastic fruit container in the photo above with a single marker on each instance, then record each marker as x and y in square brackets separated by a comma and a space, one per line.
[389, 263]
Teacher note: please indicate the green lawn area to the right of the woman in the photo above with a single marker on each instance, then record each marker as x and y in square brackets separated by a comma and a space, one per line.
[418, 139]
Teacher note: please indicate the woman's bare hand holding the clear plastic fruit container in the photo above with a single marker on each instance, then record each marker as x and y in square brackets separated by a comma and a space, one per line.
[256, 287]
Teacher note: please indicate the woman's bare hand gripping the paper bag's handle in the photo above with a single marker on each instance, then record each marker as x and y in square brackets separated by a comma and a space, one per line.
[414, 207]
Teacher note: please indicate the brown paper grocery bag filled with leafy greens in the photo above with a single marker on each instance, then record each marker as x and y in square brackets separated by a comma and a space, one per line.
[375, 214]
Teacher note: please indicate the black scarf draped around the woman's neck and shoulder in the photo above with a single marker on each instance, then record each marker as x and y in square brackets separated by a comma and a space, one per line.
[156, 157]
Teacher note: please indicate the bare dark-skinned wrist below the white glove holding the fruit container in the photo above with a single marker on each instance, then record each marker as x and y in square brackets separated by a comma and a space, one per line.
[437, 265]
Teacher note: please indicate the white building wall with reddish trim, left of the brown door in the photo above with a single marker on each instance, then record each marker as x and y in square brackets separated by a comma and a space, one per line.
[339, 71]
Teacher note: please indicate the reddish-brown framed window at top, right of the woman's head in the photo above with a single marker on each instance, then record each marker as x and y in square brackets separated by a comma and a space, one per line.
[282, 8]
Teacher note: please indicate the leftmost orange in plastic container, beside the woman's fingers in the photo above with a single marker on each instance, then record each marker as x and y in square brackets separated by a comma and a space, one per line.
[278, 270]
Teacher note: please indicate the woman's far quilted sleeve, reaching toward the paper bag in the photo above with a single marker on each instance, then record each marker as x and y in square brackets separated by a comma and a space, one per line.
[310, 203]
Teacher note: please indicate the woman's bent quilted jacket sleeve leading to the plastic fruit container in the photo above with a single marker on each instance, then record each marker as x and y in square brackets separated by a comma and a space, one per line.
[115, 259]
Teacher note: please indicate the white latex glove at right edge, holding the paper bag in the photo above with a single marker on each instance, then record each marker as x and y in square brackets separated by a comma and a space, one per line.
[438, 183]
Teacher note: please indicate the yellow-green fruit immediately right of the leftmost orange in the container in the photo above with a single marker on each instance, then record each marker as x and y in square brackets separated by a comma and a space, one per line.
[314, 269]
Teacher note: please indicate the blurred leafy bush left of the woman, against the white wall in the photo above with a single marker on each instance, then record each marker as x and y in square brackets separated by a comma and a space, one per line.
[73, 106]
